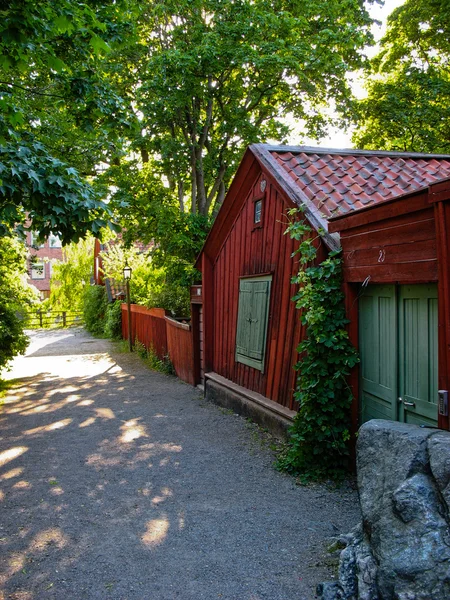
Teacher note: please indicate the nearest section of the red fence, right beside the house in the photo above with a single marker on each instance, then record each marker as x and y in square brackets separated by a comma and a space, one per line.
[181, 350]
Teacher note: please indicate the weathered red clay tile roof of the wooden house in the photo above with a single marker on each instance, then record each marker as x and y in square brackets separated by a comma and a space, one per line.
[340, 181]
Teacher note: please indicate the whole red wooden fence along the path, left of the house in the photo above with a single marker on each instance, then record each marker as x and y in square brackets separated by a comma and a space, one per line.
[166, 336]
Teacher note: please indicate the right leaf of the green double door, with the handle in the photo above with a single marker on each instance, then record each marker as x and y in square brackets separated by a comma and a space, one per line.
[418, 354]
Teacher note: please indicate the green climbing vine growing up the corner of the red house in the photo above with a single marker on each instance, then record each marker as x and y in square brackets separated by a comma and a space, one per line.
[318, 445]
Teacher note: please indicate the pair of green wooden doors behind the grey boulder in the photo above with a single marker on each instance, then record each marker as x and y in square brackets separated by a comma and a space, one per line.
[398, 341]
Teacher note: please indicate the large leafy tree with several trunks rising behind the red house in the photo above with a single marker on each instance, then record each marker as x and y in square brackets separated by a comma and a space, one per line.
[212, 76]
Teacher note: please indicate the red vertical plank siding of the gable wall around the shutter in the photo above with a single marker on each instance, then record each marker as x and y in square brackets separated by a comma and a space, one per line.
[248, 251]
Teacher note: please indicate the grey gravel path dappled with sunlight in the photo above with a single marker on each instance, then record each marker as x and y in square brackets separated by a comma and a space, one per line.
[124, 484]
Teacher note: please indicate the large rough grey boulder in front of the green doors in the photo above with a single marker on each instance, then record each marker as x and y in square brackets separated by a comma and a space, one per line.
[401, 551]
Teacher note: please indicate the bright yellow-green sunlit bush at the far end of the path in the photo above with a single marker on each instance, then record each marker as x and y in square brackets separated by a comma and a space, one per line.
[70, 276]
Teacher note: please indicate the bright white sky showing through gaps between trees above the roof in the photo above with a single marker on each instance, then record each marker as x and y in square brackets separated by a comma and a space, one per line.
[339, 138]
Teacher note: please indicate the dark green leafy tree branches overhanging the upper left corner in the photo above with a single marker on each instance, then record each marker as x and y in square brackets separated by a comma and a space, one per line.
[52, 83]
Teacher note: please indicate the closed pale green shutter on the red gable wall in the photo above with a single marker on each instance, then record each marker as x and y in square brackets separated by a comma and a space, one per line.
[253, 314]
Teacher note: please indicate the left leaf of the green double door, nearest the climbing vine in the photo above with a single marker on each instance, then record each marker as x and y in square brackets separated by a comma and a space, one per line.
[378, 350]
